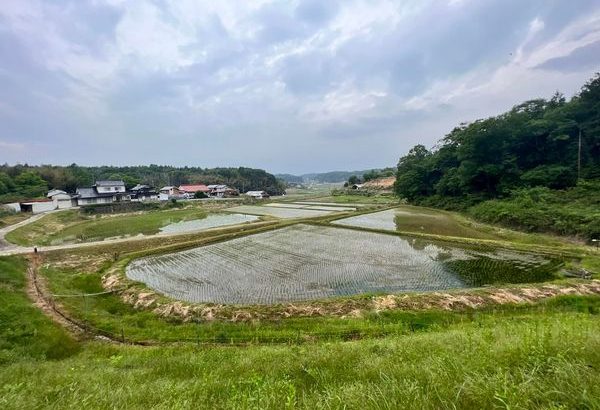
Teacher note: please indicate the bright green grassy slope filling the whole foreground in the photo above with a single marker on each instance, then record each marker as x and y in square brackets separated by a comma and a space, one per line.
[531, 358]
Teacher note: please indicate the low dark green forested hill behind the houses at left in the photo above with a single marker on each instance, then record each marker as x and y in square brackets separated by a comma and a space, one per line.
[24, 181]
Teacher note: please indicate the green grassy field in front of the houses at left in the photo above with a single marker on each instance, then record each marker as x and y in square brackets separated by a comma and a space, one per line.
[73, 226]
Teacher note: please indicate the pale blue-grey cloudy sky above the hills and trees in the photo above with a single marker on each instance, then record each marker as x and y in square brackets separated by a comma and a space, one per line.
[287, 86]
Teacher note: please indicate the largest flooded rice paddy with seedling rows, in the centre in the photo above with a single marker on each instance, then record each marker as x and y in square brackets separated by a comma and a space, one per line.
[304, 262]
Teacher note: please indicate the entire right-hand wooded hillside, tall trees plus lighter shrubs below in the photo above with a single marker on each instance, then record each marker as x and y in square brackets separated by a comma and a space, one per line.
[527, 162]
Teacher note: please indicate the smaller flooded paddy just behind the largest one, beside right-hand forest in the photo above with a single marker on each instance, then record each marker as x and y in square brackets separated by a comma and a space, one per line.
[415, 219]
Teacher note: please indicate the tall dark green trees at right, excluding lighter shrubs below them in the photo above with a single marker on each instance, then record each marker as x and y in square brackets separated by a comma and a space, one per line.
[549, 143]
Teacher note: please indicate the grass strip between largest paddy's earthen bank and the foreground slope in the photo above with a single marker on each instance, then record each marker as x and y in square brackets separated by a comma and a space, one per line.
[109, 315]
